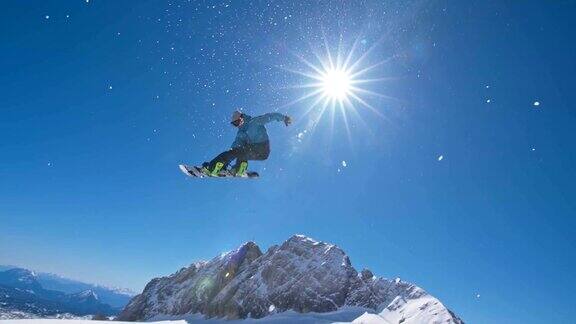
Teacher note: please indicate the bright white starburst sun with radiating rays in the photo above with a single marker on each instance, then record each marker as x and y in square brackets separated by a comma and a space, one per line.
[337, 82]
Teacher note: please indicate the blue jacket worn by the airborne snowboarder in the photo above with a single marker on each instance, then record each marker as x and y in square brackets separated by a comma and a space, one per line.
[253, 130]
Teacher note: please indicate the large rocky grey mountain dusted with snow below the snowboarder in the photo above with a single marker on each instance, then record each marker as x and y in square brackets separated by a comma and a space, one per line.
[301, 275]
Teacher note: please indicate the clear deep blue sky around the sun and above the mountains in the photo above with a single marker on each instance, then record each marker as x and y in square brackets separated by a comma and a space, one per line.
[100, 101]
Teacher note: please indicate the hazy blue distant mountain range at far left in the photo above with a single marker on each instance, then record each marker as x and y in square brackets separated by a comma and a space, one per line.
[43, 294]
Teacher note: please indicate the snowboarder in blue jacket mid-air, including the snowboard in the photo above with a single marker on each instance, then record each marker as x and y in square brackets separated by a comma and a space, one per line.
[251, 143]
